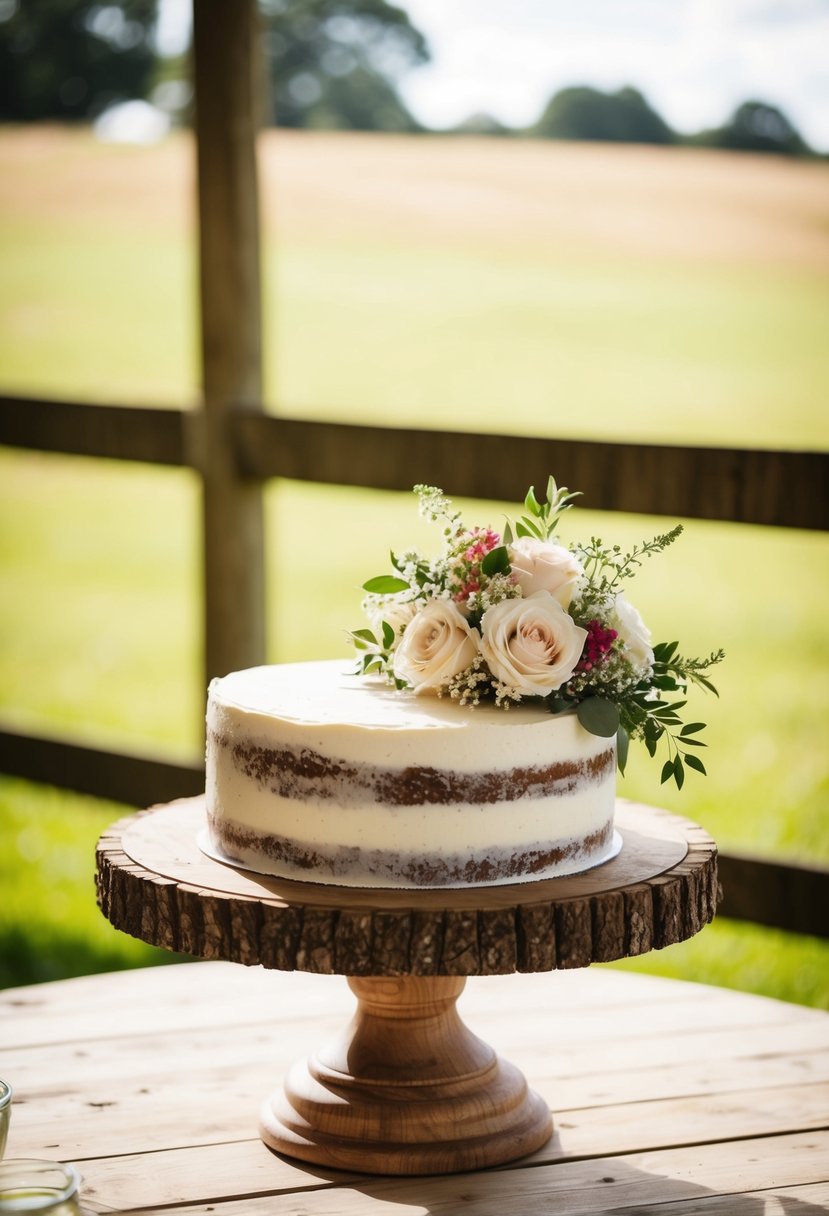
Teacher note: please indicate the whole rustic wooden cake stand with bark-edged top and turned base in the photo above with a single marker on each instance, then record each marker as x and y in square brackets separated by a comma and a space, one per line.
[407, 1088]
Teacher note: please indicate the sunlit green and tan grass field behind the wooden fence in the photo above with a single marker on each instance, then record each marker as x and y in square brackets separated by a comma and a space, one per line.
[507, 286]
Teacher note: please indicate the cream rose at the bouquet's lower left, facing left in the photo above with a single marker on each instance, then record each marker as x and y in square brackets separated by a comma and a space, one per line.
[437, 645]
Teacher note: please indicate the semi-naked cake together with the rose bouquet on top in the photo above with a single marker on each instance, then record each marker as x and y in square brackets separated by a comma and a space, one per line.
[477, 741]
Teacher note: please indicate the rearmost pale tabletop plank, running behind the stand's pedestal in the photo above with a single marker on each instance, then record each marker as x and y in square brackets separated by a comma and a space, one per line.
[194, 997]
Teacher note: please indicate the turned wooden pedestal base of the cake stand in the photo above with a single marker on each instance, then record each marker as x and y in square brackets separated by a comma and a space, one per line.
[407, 1089]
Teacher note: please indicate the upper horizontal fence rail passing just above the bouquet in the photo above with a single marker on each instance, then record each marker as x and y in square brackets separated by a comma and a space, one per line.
[788, 489]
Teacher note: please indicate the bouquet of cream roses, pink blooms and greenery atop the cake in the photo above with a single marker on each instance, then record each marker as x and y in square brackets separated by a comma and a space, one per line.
[521, 616]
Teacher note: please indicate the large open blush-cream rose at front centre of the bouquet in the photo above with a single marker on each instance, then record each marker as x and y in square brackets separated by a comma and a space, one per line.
[532, 645]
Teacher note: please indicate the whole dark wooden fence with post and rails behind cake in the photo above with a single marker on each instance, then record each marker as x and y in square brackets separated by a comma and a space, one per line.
[235, 447]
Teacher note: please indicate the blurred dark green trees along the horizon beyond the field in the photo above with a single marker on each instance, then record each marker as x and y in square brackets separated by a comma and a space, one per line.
[332, 65]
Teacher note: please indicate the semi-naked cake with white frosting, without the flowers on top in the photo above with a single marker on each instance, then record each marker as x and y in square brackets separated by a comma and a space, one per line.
[319, 775]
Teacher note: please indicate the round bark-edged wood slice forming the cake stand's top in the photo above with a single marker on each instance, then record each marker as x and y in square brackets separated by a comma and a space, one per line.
[155, 883]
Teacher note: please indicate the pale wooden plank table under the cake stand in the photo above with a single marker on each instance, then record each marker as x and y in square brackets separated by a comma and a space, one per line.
[670, 1099]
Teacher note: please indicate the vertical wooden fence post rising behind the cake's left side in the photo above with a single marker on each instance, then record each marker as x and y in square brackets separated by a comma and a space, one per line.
[225, 47]
